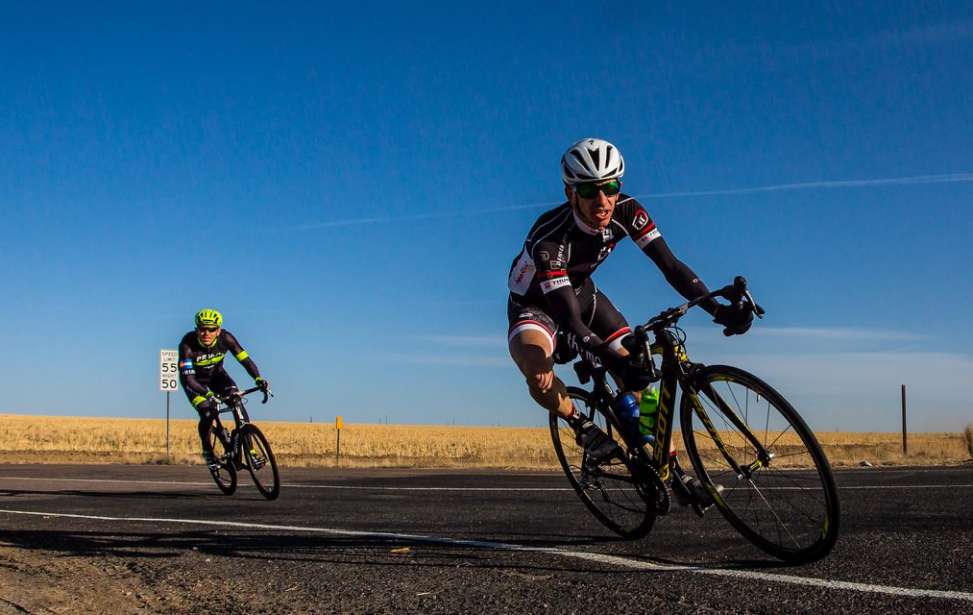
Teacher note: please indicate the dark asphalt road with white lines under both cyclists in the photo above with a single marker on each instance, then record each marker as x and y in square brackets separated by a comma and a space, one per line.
[451, 541]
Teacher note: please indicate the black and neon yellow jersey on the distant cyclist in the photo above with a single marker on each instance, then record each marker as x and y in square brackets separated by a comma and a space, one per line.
[200, 366]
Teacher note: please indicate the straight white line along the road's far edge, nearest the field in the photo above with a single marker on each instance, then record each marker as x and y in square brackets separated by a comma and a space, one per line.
[472, 489]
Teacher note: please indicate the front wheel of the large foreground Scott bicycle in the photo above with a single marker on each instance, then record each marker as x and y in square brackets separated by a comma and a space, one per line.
[779, 524]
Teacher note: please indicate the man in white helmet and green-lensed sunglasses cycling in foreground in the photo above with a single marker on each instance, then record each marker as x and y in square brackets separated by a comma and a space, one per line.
[551, 290]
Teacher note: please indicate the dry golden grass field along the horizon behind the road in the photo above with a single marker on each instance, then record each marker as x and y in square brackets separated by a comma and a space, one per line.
[36, 439]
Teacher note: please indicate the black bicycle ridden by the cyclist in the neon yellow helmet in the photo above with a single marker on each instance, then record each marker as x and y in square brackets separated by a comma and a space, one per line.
[244, 447]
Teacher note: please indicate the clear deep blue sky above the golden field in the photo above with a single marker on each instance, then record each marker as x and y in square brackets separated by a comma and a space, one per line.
[349, 184]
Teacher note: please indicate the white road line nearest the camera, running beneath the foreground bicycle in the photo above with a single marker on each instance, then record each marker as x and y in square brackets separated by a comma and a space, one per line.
[603, 558]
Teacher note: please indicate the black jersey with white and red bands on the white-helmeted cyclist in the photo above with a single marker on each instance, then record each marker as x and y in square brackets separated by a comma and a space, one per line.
[561, 252]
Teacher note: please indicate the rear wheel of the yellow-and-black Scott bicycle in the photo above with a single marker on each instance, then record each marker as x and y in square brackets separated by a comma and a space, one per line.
[611, 490]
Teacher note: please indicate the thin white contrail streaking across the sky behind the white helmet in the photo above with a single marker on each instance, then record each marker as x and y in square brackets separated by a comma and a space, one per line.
[945, 178]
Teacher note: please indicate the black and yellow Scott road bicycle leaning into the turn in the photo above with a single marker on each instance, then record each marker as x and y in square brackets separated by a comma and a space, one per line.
[751, 451]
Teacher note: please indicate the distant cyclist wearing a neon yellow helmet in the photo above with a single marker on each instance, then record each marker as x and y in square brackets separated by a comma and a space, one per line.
[201, 372]
